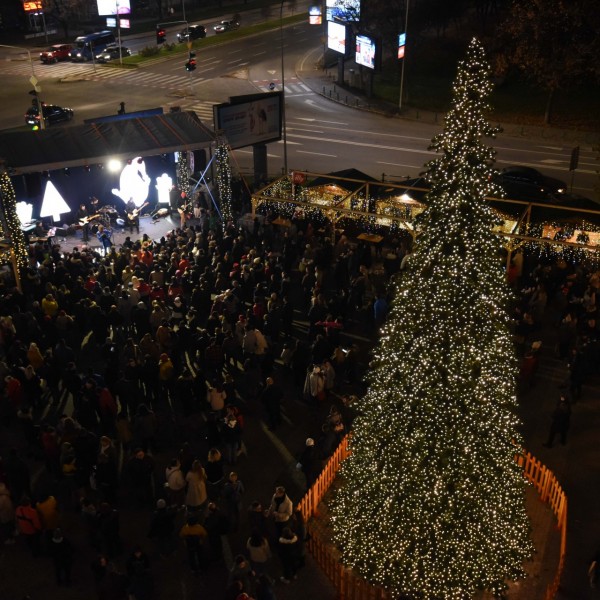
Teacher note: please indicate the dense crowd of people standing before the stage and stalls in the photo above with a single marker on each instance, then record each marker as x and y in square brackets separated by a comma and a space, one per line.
[130, 377]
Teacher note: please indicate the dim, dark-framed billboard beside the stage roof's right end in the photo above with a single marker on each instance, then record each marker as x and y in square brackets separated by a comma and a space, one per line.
[255, 121]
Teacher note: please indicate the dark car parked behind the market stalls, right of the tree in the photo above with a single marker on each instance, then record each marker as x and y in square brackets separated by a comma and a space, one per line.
[526, 183]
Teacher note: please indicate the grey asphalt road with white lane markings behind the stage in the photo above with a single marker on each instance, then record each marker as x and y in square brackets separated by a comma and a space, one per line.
[322, 136]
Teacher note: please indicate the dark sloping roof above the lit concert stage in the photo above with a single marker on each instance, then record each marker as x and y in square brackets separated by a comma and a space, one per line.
[93, 143]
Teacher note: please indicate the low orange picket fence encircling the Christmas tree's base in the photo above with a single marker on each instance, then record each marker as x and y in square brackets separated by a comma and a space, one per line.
[351, 587]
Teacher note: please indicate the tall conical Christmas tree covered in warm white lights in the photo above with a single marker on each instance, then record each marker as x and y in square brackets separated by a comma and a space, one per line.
[431, 503]
